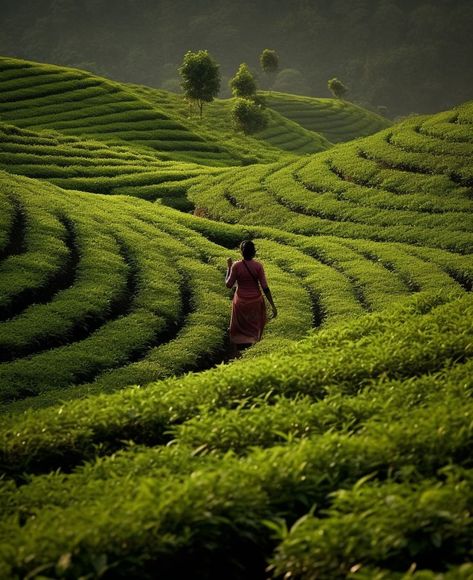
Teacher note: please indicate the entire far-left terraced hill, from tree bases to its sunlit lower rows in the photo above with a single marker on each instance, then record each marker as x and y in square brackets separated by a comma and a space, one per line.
[86, 133]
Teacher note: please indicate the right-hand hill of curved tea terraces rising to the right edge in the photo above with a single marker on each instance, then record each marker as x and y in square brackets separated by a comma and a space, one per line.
[409, 183]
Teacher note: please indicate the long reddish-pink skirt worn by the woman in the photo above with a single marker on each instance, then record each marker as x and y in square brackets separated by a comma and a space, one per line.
[248, 319]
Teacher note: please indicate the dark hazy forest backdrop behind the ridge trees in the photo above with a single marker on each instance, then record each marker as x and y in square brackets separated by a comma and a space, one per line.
[410, 56]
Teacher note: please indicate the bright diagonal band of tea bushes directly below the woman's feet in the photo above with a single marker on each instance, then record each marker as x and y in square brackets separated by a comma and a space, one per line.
[344, 359]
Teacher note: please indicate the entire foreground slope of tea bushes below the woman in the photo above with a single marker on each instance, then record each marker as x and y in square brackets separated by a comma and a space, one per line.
[366, 408]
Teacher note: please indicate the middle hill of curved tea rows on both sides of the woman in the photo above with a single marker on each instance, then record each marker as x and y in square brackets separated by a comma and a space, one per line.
[106, 292]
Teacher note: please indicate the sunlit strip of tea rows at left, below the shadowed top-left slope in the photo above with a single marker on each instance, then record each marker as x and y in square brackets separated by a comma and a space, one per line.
[96, 167]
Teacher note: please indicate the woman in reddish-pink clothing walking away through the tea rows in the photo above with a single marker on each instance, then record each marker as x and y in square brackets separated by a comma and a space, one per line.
[248, 308]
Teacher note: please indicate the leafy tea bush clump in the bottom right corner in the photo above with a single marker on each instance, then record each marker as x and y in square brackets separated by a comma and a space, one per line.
[390, 525]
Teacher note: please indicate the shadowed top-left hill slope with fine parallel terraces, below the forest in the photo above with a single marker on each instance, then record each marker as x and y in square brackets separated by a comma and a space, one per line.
[37, 96]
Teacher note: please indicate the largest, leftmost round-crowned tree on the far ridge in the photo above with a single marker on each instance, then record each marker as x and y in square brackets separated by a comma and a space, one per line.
[200, 77]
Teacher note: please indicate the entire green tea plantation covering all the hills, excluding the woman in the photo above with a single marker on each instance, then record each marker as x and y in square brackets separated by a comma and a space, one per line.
[340, 446]
